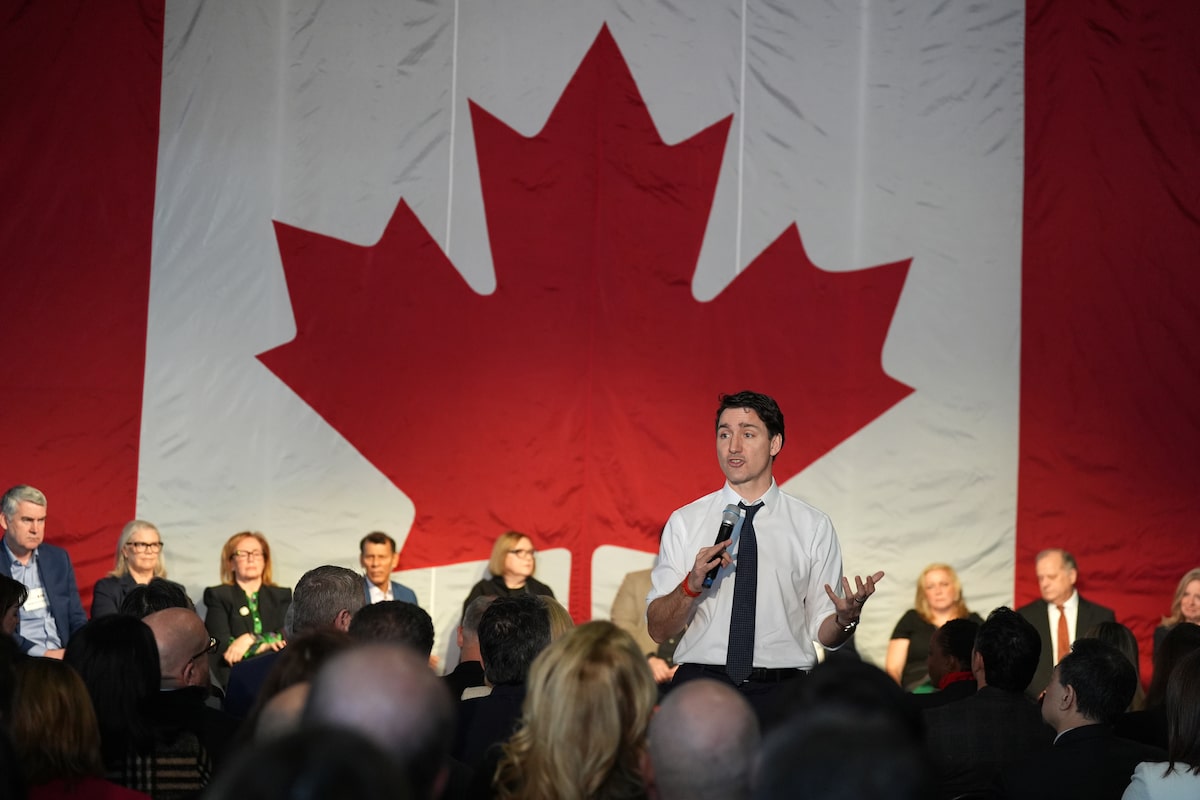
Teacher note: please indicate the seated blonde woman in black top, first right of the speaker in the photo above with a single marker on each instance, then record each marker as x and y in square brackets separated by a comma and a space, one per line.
[939, 600]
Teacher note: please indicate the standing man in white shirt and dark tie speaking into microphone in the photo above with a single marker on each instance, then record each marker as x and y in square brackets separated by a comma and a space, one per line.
[775, 590]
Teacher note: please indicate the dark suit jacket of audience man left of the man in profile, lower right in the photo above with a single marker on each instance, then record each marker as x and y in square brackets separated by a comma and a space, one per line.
[970, 741]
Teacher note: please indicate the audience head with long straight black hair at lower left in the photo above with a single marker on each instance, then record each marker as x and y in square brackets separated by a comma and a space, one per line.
[118, 660]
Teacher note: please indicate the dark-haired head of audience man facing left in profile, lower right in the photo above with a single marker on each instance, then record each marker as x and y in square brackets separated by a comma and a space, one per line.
[1093, 685]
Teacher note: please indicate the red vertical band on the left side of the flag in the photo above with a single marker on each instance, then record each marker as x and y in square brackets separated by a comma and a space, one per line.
[80, 115]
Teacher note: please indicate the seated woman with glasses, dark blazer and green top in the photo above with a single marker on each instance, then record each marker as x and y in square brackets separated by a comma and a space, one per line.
[245, 615]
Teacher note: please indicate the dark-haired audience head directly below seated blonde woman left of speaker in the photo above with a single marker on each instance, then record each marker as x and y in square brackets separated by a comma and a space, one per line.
[512, 633]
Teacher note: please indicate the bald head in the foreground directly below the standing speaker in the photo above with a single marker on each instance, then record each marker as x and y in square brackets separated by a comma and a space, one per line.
[703, 742]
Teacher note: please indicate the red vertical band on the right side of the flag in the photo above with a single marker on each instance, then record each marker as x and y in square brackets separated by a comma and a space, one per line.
[1111, 344]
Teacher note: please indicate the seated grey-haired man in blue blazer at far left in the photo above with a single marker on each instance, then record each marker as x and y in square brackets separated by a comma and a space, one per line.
[53, 611]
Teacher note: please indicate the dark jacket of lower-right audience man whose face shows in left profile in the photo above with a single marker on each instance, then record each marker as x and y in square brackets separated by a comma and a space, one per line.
[1089, 762]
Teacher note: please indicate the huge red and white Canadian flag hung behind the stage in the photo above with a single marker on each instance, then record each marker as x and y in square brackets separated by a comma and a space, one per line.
[448, 269]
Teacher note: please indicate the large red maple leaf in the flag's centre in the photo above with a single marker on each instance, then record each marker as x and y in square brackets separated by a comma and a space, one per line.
[577, 402]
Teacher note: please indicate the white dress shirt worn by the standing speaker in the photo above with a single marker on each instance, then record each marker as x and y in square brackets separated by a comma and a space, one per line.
[799, 555]
